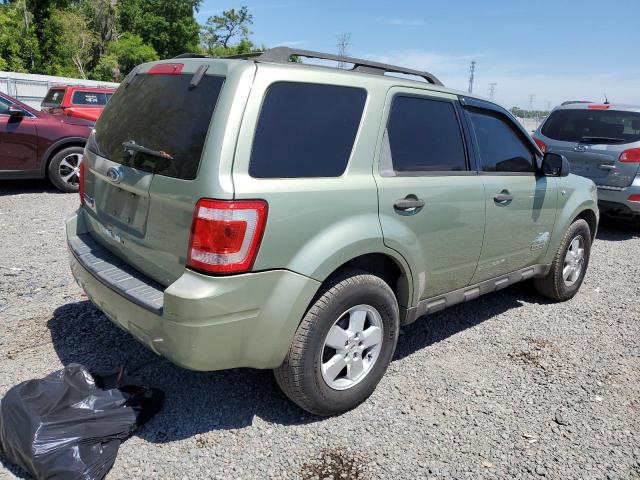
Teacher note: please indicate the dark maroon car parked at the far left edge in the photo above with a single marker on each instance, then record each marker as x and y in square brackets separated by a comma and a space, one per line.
[36, 144]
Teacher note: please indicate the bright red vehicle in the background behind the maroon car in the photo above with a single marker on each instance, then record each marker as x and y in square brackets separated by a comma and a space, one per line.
[74, 101]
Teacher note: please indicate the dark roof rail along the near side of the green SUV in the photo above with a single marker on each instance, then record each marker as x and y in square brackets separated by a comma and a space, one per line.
[284, 54]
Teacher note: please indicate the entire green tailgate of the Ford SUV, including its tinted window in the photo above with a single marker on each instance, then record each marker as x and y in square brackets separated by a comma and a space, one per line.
[142, 166]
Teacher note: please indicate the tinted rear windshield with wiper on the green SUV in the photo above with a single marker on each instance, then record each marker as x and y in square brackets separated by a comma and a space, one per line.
[160, 113]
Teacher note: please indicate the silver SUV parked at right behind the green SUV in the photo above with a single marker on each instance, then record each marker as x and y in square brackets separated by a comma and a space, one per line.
[602, 142]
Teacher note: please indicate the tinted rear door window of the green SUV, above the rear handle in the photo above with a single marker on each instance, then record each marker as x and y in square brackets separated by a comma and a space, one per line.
[424, 136]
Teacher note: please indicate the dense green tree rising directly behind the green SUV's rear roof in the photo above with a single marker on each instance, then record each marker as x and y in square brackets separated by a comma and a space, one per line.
[167, 25]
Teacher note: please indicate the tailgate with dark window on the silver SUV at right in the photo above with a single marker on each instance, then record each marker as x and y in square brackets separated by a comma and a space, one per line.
[593, 139]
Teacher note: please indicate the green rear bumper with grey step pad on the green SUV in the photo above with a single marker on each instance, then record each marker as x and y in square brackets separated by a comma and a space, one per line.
[198, 322]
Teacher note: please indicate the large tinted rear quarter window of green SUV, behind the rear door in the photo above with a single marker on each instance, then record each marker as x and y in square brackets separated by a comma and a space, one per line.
[306, 130]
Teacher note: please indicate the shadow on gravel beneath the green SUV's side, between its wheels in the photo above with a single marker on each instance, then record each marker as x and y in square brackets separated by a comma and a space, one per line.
[436, 327]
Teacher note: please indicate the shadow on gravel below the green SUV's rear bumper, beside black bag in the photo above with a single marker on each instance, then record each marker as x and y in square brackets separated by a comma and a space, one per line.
[195, 402]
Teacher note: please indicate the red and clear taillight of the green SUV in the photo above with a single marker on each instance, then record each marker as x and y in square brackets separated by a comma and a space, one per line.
[226, 235]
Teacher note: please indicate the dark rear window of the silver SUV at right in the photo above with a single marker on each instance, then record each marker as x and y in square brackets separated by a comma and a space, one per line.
[593, 126]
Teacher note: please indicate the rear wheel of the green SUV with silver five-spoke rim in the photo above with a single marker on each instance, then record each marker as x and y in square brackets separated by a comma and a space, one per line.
[343, 345]
